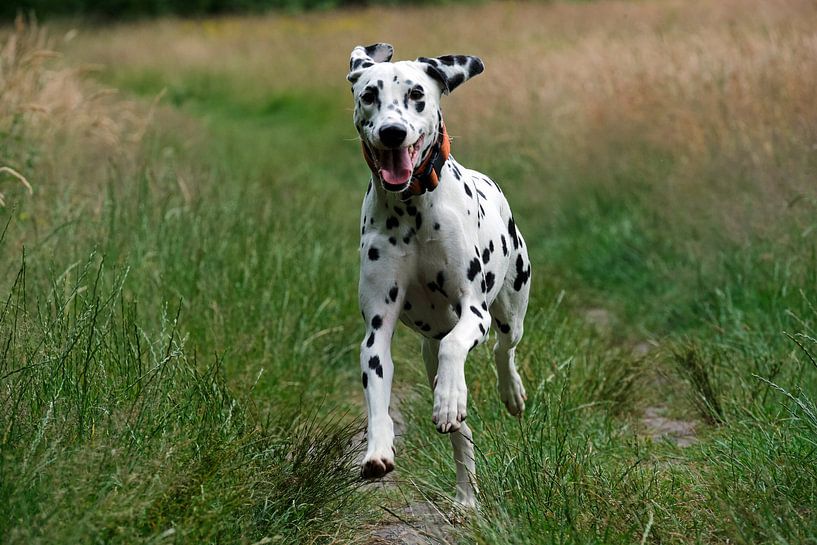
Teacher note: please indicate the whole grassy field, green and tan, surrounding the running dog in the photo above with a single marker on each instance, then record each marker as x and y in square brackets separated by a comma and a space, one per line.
[179, 328]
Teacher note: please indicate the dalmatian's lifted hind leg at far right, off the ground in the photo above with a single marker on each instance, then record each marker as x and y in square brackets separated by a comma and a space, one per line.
[508, 312]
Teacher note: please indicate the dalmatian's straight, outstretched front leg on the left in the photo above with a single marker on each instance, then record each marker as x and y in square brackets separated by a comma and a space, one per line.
[381, 312]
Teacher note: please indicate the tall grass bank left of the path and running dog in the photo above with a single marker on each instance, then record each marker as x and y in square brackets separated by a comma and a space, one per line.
[139, 332]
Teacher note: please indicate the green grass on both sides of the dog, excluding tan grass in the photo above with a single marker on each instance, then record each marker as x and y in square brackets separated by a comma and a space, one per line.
[181, 365]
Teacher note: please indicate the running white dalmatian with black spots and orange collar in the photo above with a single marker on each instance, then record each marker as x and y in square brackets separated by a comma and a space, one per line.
[439, 251]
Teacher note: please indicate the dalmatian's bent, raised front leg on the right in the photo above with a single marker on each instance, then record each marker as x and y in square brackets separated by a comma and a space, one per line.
[450, 390]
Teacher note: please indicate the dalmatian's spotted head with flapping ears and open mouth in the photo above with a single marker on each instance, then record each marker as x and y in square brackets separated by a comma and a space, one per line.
[397, 106]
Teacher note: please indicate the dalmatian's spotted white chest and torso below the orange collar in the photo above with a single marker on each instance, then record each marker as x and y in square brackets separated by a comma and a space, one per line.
[436, 247]
